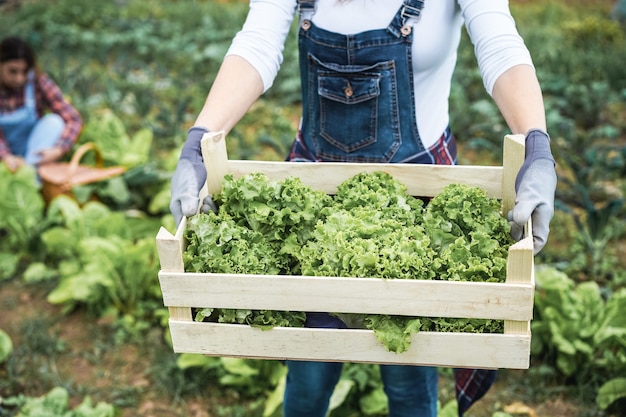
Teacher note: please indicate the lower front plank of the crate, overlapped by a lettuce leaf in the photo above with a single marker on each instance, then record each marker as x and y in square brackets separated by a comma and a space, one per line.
[427, 348]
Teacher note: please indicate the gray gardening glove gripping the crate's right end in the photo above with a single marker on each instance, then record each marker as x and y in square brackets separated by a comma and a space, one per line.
[535, 186]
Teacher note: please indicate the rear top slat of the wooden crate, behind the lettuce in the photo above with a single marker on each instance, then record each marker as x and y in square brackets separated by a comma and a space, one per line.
[421, 180]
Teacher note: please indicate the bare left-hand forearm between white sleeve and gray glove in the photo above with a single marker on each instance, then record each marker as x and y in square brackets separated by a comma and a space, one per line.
[237, 86]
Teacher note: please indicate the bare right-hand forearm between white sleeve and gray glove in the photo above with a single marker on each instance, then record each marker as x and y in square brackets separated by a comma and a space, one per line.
[518, 96]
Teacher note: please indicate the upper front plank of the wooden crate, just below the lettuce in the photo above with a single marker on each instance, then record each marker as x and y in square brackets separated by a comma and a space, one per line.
[426, 298]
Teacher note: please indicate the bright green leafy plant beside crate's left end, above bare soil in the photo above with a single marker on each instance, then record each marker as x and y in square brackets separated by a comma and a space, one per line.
[100, 264]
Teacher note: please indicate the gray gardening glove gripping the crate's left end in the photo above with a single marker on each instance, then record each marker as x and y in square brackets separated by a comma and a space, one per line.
[189, 177]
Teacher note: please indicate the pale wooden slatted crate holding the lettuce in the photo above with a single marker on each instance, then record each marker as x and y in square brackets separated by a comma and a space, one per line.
[511, 301]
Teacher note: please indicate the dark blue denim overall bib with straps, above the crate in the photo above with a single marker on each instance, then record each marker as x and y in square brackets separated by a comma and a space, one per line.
[358, 94]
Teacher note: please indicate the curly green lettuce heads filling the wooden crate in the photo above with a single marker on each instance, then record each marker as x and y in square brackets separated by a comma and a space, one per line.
[370, 228]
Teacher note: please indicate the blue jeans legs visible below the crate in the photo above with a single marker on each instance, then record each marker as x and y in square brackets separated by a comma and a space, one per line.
[411, 390]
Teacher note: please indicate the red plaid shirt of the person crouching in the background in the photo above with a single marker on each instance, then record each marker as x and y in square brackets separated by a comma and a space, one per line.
[48, 98]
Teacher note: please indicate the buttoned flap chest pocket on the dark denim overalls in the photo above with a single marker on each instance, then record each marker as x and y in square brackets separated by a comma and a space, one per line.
[358, 111]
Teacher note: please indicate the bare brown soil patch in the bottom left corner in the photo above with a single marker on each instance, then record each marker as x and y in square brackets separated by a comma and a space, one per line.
[82, 359]
